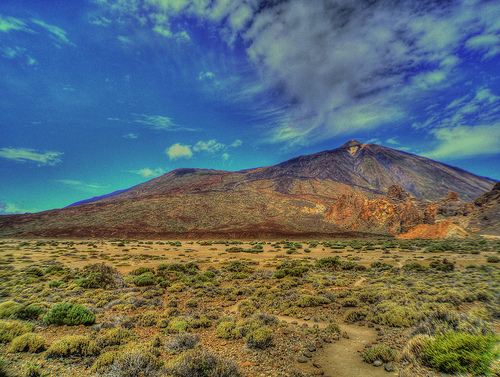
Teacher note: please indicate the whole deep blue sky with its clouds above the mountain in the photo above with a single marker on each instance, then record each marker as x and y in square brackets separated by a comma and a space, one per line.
[101, 95]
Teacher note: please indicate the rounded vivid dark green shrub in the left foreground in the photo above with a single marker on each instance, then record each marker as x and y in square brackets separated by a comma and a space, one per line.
[68, 314]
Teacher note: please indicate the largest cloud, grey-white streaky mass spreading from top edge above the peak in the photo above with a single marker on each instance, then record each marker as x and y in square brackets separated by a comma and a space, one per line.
[338, 66]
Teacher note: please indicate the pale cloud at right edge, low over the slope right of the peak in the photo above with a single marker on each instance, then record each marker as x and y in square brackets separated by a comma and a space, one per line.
[464, 141]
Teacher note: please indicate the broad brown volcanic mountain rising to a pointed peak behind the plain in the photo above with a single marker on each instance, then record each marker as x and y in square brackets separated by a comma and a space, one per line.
[363, 188]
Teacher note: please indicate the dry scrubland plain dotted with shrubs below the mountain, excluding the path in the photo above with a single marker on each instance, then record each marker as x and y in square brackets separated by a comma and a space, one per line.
[234, 308]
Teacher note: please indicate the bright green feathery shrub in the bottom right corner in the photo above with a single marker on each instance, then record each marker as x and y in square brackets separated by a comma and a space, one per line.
[461, 353]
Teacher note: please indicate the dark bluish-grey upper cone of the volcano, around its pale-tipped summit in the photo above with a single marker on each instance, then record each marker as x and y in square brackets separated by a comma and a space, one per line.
[375, 168]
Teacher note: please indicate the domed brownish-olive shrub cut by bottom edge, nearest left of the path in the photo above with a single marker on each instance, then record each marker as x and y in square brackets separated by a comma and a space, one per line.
[202, 363]
